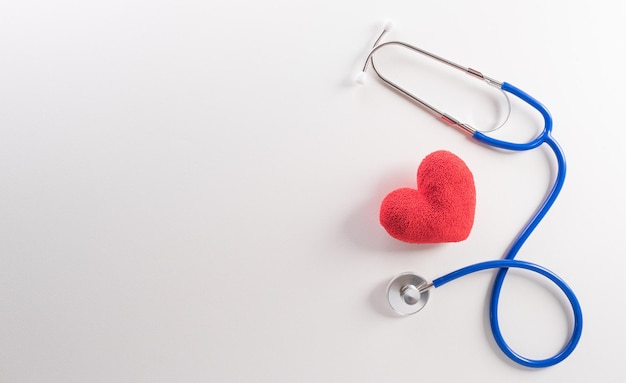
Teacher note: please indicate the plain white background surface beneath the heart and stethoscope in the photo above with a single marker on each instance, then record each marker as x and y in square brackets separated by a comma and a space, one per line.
[189, 190]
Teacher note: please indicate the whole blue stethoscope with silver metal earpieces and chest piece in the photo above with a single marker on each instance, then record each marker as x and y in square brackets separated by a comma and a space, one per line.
[408, 293]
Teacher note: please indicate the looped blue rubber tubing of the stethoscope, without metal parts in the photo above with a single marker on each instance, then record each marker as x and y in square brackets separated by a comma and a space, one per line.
[508, 261]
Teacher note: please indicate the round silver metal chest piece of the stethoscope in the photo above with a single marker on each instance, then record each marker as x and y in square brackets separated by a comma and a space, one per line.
[408, 293]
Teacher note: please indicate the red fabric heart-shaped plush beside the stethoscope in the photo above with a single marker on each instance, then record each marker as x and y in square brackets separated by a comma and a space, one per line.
[442, 207]
